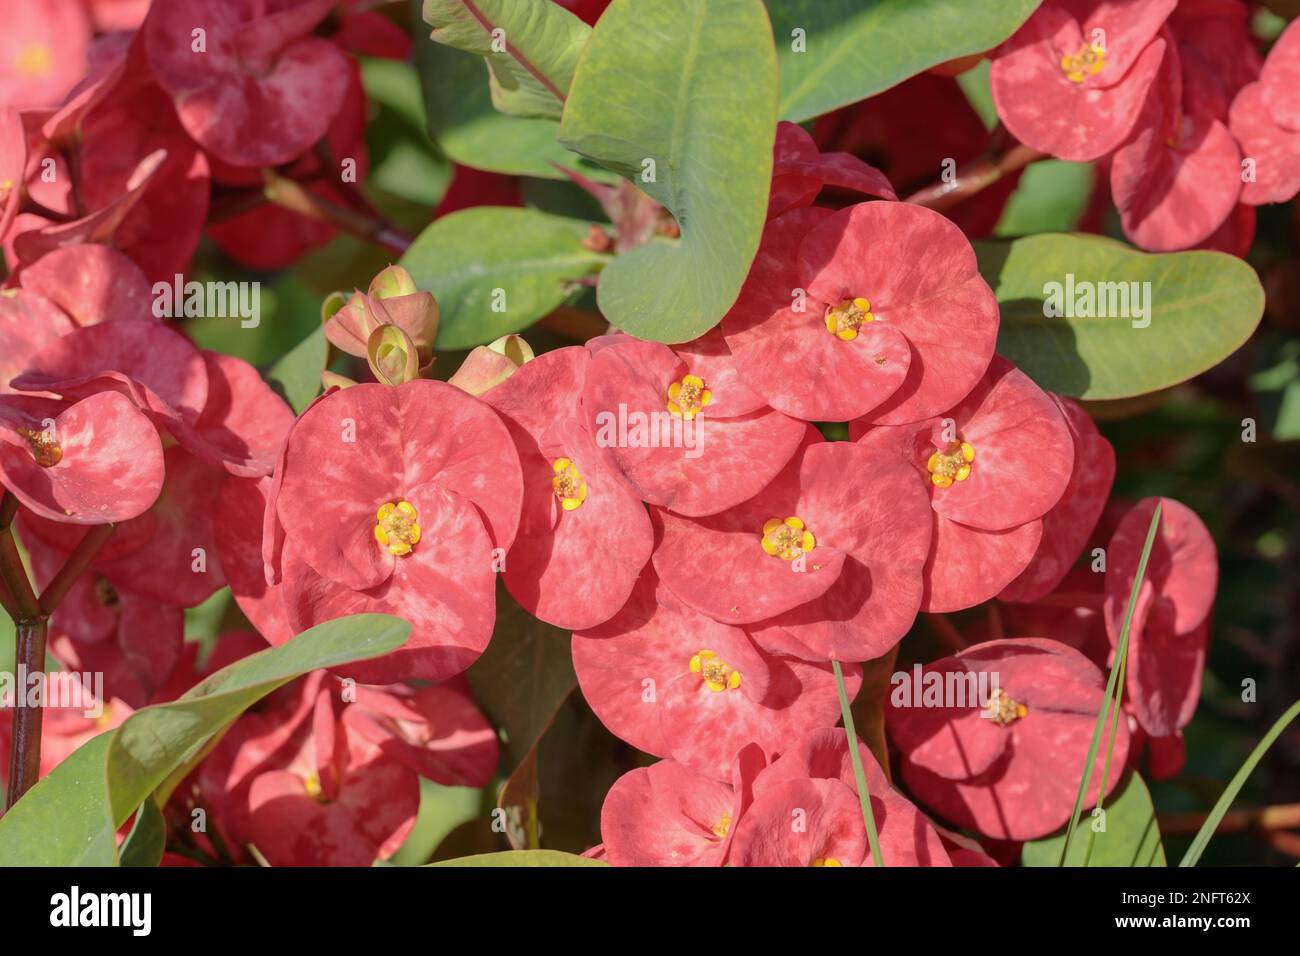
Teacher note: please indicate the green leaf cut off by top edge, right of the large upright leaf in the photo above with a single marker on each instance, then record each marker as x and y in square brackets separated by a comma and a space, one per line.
[857, 49]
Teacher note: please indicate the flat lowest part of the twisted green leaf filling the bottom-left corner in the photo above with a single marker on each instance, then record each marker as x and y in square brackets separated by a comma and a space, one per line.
[63, 821]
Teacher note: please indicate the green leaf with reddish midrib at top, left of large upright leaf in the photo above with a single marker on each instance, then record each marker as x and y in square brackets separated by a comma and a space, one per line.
[531, 49]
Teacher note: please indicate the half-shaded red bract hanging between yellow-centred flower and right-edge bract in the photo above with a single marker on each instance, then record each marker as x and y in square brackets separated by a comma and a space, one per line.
[1178, 179]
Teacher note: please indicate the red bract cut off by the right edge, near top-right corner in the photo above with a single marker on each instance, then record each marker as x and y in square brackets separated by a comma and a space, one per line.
[1267, 123]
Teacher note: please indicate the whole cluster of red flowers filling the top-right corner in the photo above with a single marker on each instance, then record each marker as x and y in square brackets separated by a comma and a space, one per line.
[1173, 100]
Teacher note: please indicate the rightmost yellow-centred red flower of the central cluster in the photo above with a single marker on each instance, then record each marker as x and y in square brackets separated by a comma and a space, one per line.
[994, 466]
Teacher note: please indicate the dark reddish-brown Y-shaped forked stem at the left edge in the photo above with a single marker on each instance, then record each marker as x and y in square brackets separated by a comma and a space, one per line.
[31, 616]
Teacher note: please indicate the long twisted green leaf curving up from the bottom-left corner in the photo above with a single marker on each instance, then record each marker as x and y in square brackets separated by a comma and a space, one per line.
[72, 816]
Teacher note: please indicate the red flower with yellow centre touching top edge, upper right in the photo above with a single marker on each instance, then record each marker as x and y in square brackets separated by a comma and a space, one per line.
[1073, 80]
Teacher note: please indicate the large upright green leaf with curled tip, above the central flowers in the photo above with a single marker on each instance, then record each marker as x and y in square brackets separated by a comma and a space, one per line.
[658, 100]
